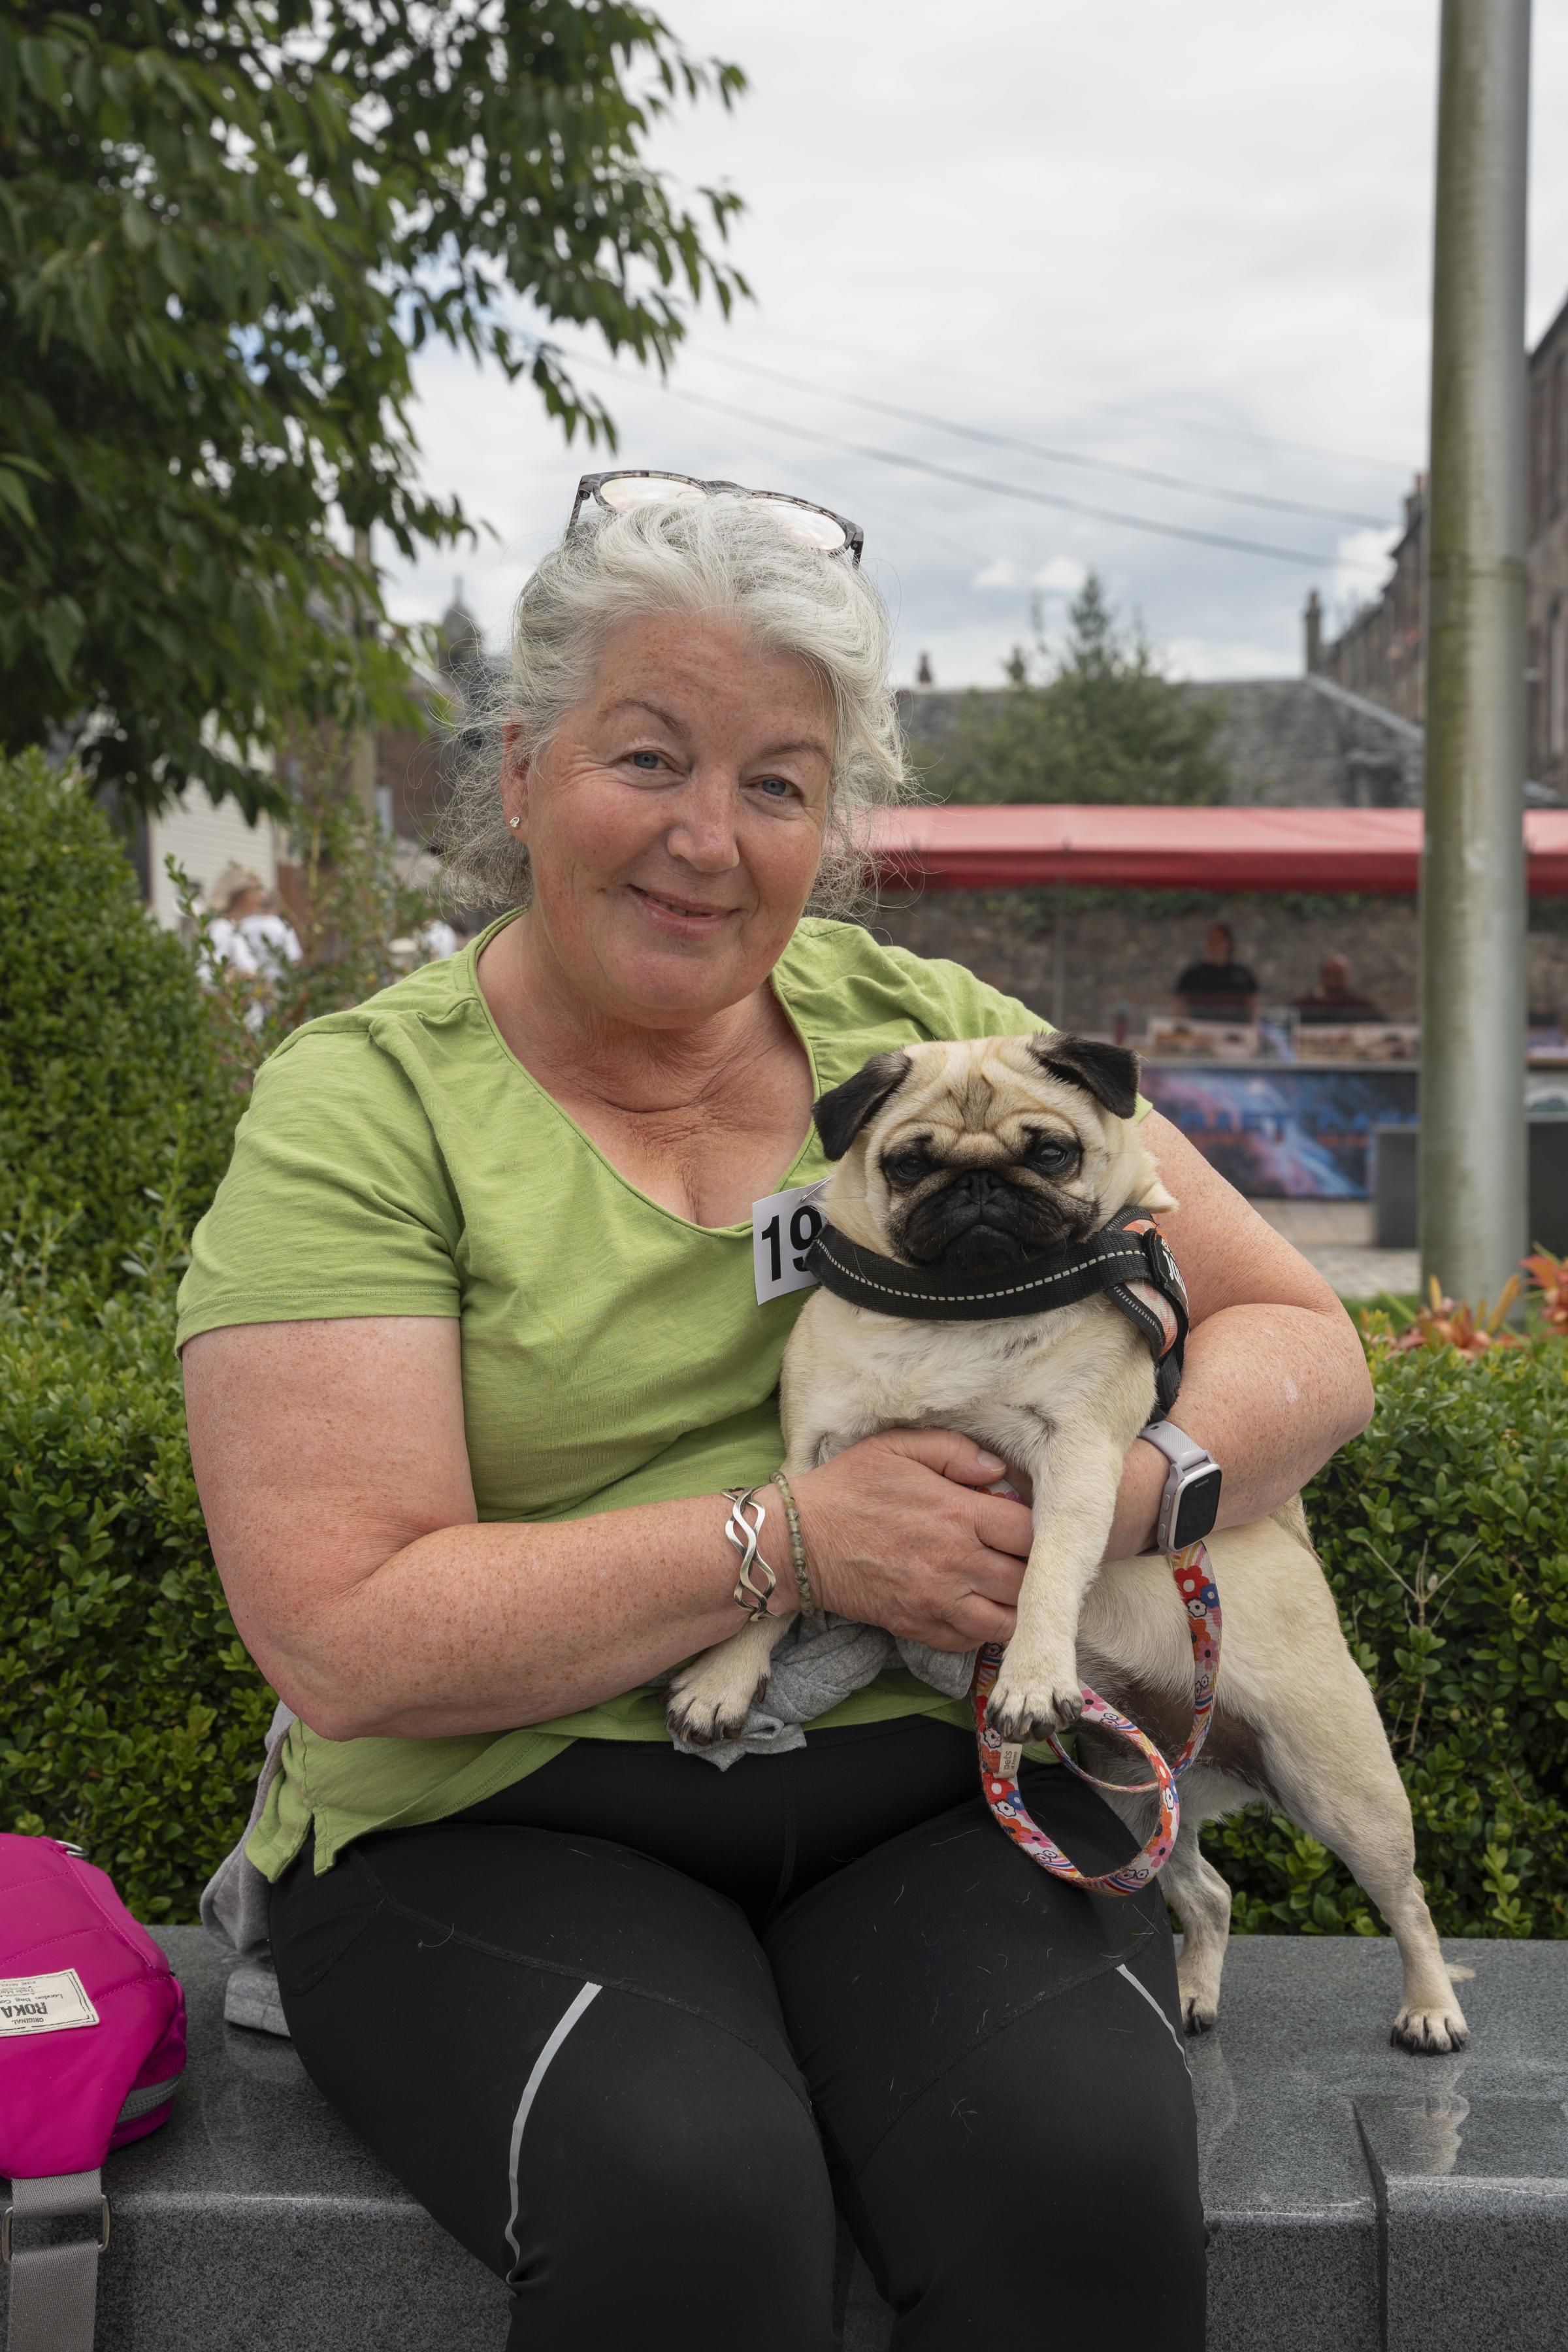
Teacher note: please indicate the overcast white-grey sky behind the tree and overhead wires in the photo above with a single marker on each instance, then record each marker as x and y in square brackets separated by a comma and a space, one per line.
[1186, 239]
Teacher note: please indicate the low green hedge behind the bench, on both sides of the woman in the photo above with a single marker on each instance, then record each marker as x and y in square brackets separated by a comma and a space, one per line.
[133, 1718]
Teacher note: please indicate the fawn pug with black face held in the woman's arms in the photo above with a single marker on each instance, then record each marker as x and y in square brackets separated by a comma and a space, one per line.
[977, 1158]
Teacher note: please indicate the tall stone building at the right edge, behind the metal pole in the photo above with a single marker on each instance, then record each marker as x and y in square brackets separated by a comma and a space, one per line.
[1381, 655]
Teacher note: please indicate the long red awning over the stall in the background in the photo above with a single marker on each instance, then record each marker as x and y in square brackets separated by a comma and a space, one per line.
[1320, 850]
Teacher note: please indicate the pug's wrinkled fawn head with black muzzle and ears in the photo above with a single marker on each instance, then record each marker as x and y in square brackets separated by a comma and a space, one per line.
[986, 1154]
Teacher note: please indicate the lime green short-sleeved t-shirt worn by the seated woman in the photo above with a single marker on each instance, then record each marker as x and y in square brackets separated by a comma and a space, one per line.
[401, 1161]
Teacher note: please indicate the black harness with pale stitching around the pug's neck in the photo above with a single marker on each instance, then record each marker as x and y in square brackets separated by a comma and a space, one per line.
[1127, 1259]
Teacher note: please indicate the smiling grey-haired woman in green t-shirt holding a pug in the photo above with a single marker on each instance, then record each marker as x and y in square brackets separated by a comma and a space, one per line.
[481, 1337]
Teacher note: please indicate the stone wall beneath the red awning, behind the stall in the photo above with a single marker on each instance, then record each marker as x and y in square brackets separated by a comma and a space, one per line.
[1130, 951]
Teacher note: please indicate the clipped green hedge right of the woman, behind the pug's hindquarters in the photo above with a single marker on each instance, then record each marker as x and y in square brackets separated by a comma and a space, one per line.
[1445, 1532]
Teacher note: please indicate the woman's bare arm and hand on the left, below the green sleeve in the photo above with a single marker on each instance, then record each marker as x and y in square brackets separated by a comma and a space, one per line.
[335, 1481]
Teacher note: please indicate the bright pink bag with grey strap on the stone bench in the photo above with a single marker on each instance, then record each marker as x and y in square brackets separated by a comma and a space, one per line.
[93, 2045]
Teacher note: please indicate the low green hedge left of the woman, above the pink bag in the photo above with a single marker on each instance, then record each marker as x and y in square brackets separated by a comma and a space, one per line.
[130, 1718]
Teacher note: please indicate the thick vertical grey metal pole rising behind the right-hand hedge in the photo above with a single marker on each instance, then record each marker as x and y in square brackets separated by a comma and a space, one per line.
[1473, 902]
